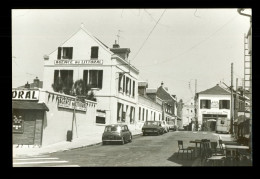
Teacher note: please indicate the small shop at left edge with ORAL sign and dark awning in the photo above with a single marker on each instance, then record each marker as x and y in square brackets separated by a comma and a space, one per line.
[27, 117]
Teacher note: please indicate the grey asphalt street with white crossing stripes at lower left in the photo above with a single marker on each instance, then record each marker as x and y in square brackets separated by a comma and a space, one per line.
[142, 151]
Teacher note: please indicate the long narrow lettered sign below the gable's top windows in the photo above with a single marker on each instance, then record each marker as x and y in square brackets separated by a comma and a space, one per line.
[77, 62]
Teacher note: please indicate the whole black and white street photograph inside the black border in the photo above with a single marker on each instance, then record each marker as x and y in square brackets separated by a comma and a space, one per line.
[131, 87]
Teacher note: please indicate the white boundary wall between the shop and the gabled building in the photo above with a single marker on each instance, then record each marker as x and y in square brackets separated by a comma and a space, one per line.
[58, 121]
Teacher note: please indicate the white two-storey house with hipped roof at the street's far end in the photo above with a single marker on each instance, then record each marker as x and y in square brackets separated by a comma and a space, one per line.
[212, 103]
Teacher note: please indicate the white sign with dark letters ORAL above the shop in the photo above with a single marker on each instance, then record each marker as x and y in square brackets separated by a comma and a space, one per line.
[25, 94]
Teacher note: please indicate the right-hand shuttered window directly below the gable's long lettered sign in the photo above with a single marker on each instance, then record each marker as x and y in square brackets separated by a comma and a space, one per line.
[94, 78]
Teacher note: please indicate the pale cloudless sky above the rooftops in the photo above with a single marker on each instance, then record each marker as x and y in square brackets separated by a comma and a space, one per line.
[176, 46]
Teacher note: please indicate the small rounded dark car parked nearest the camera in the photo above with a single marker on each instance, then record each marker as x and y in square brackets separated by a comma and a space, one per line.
[116, 133]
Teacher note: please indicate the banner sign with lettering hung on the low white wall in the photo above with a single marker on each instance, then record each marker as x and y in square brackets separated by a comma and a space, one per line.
[64, 102]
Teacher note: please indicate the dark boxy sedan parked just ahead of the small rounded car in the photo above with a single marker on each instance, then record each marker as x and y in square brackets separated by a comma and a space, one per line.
[152, 127]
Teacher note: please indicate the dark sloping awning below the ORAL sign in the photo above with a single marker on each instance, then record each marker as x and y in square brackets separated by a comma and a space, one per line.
[29, 105]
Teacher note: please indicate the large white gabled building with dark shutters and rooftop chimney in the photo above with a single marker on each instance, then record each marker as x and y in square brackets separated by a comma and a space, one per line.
[105, 71]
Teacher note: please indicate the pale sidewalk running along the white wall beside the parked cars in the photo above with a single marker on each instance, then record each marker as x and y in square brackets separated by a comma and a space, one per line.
[89, 140]
